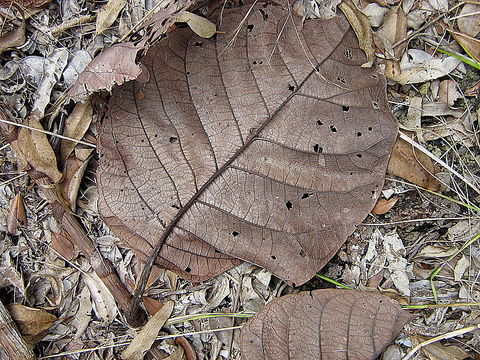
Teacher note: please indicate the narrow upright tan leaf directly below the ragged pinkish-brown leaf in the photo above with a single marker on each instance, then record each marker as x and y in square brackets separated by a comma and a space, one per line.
[76, 126]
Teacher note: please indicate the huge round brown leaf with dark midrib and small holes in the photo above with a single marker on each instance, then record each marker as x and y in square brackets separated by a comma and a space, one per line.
[268, 143]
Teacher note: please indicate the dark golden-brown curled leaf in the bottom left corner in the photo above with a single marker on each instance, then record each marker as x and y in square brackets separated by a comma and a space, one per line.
[32, 323]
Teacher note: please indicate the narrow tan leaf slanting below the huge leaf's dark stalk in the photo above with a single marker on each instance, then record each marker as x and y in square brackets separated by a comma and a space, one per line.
[144, 340]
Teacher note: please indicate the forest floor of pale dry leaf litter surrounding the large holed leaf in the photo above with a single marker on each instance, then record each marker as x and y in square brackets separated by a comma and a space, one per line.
[394, 251]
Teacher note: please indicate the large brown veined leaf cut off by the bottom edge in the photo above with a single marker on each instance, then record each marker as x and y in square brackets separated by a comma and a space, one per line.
[323, 324]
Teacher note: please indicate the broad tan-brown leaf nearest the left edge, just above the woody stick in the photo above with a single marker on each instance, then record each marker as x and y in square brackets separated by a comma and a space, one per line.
[33, 147]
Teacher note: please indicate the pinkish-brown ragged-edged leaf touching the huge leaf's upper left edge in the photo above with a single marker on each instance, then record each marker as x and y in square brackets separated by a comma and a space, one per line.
[112, 67]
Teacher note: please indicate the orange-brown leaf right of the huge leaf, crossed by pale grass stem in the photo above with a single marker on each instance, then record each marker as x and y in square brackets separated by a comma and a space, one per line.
[413, 166]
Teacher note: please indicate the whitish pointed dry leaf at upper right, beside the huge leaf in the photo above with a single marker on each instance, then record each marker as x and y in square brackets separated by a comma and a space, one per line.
[417, 66]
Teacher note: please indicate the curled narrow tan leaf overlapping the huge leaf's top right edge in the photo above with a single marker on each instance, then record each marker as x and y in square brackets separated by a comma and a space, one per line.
[361, 25]
